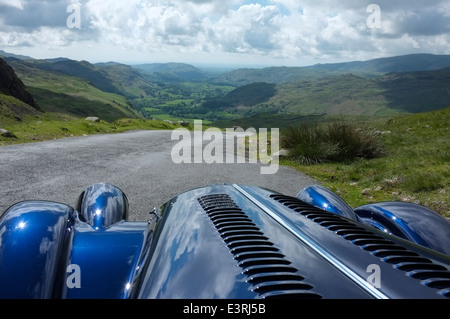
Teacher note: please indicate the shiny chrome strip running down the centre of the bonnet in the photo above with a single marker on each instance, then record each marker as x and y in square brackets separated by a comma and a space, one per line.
[314, 246]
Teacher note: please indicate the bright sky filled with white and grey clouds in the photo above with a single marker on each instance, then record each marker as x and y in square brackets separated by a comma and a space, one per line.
[238, 32]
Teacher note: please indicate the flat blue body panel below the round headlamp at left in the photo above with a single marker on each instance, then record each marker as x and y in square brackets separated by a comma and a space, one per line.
[109, 260]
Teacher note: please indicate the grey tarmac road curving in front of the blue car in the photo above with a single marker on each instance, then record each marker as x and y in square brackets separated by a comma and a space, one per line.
[138, 162]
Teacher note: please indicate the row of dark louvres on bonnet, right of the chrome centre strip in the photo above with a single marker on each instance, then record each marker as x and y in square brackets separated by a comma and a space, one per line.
[431, 274]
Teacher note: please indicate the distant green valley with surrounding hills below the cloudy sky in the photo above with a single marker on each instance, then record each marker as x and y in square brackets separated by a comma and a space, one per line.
[178, 91]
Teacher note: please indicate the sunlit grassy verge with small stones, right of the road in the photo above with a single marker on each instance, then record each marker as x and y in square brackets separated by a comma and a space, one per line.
[415, 168]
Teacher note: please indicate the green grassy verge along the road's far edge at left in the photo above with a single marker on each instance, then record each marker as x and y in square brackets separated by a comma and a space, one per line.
[50, 126]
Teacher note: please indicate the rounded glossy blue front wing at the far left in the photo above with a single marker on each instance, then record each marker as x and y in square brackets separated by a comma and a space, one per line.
[32, 240]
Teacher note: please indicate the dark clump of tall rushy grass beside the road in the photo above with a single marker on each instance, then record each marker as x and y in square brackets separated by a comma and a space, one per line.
[331, 142]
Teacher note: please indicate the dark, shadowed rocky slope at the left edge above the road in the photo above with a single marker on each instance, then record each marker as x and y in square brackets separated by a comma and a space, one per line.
[11, 85]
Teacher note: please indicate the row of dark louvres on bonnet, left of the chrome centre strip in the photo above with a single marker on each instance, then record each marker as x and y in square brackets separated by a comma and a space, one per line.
[267, 269]
